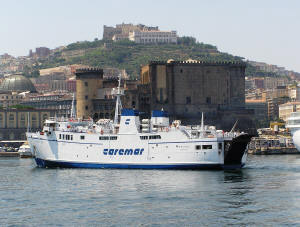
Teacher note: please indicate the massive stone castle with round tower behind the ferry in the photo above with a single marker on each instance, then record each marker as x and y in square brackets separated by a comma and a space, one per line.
[183, 88]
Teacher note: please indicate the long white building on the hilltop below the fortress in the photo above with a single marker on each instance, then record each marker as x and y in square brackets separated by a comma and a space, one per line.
[153, 36]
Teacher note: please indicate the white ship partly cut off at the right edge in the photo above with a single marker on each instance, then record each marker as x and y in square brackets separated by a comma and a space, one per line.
[293, 124]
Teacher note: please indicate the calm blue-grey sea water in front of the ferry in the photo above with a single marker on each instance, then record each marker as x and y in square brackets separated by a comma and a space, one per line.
[266, 192]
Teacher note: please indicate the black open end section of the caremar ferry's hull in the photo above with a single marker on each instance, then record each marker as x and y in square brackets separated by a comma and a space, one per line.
[235, 150]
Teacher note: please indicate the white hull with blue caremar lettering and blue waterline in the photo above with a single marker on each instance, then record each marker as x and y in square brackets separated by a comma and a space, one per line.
[129, 151]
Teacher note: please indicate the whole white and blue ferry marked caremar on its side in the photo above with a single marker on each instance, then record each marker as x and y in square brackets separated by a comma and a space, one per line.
[131, 142]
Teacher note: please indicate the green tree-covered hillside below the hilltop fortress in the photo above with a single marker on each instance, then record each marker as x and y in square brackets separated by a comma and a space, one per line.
[130, 56]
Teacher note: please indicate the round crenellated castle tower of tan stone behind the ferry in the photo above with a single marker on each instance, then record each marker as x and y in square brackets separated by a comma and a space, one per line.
[88, 81]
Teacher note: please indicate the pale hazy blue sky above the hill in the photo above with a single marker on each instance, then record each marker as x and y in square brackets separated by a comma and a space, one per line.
[258, 30]
